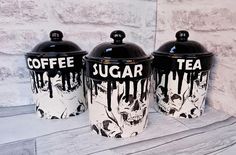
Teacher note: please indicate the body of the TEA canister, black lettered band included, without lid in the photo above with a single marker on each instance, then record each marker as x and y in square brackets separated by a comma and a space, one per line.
[180, 85]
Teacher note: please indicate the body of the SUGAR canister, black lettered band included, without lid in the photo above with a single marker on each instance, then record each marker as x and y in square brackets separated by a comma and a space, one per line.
[118, 102]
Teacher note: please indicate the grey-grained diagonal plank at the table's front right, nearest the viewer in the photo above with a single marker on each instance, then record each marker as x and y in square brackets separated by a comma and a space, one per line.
[205, 140]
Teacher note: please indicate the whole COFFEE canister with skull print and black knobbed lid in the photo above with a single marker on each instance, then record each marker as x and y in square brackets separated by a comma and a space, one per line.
[57, 78]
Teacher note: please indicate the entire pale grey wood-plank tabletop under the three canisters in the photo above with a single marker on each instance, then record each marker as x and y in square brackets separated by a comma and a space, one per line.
[23, 133]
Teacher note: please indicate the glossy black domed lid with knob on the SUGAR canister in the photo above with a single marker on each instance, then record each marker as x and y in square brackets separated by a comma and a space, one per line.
[117, 49]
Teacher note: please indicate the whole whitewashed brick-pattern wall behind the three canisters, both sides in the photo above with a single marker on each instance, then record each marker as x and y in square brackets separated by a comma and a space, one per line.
[149, 23]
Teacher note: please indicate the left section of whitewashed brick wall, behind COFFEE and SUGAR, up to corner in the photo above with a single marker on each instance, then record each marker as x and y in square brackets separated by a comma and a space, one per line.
[25, 23]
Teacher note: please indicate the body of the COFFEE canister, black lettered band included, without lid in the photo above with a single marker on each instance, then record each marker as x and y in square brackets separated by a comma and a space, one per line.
[57, 85]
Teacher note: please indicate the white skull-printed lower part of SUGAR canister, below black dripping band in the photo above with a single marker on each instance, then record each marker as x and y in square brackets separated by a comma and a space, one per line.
[124, 119]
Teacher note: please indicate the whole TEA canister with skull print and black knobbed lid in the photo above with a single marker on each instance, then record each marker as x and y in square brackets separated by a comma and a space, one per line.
[181, 73]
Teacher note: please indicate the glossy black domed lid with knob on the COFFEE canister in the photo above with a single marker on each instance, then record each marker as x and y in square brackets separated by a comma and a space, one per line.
[56, 46]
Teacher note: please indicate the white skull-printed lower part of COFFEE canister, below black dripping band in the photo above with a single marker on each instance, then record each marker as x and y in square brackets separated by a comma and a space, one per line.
[60, 103]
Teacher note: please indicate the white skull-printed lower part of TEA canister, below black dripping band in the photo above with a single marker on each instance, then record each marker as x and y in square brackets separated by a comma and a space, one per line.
[182, 105]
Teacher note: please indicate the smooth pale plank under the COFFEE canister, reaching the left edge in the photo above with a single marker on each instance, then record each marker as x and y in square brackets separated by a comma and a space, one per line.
[30, 126]
